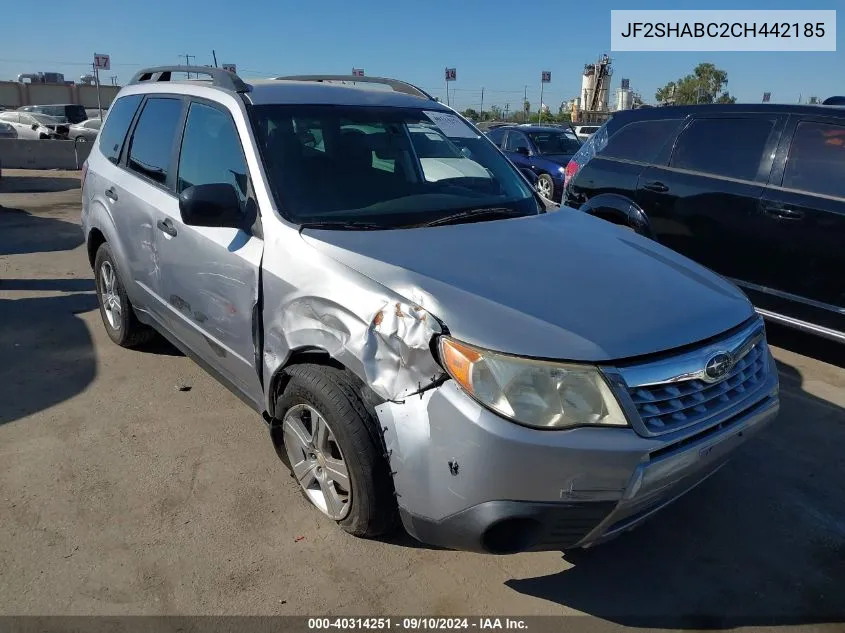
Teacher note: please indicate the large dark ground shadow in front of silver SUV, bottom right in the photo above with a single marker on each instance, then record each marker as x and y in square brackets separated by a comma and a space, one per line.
[762, 542]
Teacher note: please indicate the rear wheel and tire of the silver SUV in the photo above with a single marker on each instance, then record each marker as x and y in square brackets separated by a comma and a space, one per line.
[117, 313]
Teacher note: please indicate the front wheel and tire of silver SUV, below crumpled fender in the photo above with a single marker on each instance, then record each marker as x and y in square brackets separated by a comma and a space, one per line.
[329, 439]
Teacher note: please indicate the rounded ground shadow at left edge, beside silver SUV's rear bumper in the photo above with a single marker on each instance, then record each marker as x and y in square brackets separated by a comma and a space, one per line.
[22, 232]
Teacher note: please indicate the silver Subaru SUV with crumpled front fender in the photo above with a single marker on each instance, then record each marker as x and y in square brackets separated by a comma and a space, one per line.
[425, 340]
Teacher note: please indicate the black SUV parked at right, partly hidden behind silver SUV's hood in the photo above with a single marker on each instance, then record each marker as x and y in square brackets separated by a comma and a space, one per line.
[754, 192]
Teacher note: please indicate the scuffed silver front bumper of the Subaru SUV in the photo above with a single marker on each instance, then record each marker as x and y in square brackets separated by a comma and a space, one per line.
[467, 479]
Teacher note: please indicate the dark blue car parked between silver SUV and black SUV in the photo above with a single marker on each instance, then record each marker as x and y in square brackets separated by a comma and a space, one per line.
[544, 150]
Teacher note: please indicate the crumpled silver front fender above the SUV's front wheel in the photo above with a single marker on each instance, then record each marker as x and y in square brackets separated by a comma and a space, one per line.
[376, 333]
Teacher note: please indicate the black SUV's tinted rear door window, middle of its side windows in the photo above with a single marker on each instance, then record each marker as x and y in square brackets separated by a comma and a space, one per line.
[724, 147]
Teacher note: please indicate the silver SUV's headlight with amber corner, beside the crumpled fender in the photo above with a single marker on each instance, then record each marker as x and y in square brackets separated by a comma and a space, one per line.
[535, 393]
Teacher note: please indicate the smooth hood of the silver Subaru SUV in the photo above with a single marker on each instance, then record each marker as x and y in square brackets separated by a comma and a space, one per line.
[560, 285]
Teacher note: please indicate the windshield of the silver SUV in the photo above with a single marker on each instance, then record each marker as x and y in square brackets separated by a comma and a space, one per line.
[390, 167]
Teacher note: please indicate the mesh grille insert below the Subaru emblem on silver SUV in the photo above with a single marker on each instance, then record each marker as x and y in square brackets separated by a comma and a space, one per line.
[669, 406]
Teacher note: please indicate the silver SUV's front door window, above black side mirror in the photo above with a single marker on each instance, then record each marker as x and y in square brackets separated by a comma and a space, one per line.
[211, 151]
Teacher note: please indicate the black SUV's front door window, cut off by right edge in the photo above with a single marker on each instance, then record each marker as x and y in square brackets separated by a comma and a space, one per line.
[816, 160]
